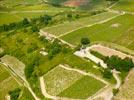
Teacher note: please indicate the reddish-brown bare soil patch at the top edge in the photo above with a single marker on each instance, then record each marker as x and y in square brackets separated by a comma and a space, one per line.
[75, 3]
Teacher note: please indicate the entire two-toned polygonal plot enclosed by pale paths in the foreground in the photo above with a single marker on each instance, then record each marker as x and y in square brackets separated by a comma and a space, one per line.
[71, 84]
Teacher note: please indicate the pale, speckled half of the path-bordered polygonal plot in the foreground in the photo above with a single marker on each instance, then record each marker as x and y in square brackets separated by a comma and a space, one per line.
[58, 79]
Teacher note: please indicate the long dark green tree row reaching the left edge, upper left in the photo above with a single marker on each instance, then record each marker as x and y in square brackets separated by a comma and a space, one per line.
[34, 23]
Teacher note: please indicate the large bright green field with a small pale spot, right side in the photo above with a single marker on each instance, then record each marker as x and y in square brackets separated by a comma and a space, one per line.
[118, 30]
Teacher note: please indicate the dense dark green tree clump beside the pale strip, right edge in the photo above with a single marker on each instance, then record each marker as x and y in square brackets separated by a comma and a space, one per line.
[115, 62]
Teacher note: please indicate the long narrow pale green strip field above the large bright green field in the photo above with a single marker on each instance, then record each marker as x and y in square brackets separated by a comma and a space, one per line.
[70, 26]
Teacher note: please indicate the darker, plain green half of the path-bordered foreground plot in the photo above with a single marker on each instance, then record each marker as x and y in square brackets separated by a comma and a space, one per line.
[83, 88]
